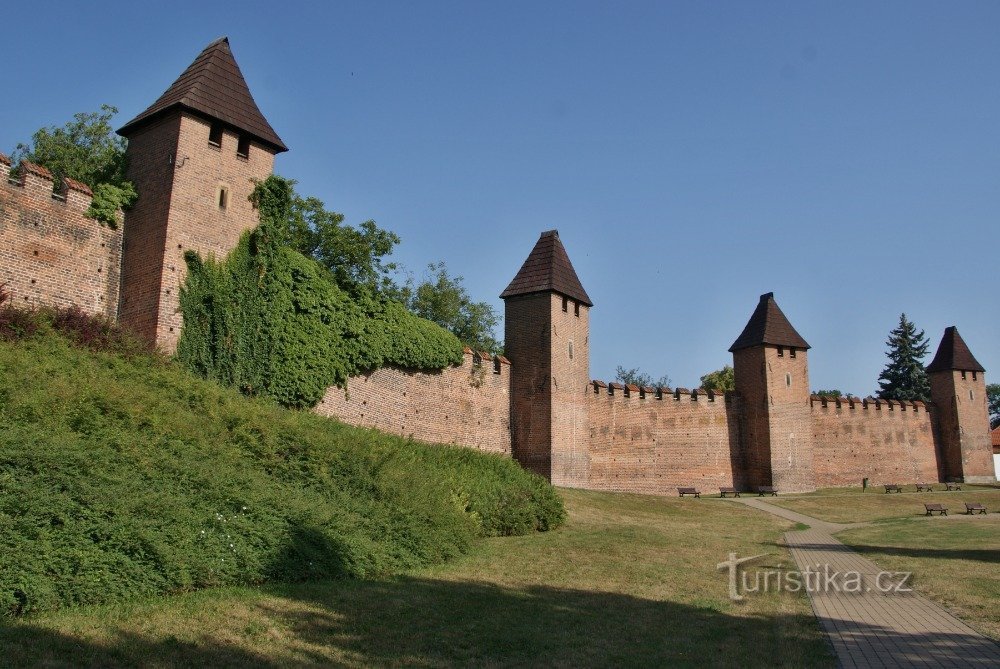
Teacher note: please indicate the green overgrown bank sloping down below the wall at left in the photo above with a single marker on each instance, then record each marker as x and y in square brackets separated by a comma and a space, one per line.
[122, 479]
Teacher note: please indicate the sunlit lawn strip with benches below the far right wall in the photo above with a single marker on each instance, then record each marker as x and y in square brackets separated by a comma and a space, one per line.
[850, 505]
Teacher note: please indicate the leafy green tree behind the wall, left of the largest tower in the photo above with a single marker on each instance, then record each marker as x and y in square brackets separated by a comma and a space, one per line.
[88, 150]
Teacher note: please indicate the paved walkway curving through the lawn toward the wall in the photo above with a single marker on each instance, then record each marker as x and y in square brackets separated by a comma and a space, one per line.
[872, 628]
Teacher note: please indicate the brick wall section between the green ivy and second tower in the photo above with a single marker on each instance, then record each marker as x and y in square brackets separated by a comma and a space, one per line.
[466, 405]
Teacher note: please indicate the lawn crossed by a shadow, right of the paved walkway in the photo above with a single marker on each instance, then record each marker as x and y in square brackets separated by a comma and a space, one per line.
[955, 561]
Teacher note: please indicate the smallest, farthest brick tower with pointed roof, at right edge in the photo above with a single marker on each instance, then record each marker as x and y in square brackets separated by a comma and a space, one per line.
[958, 390]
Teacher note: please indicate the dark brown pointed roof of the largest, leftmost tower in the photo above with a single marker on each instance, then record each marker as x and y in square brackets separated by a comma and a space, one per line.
[213, 86]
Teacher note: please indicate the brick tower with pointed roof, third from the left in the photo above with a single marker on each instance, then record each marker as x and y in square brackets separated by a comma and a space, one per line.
[772, 379]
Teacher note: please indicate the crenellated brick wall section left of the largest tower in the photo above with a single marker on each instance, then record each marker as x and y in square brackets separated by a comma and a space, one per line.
[50, 253]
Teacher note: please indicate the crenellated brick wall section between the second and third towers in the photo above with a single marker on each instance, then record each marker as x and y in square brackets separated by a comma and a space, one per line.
[644, 441]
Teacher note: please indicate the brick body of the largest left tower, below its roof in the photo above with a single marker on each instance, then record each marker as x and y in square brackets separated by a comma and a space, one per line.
[178, 175]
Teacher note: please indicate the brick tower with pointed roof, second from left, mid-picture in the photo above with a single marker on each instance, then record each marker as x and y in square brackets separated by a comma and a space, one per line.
[547, 340]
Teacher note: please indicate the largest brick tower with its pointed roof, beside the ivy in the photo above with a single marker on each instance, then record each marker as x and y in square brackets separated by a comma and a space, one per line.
[192, 156]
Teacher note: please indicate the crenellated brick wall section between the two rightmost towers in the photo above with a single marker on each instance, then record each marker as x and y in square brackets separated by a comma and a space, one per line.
[883, 440]
